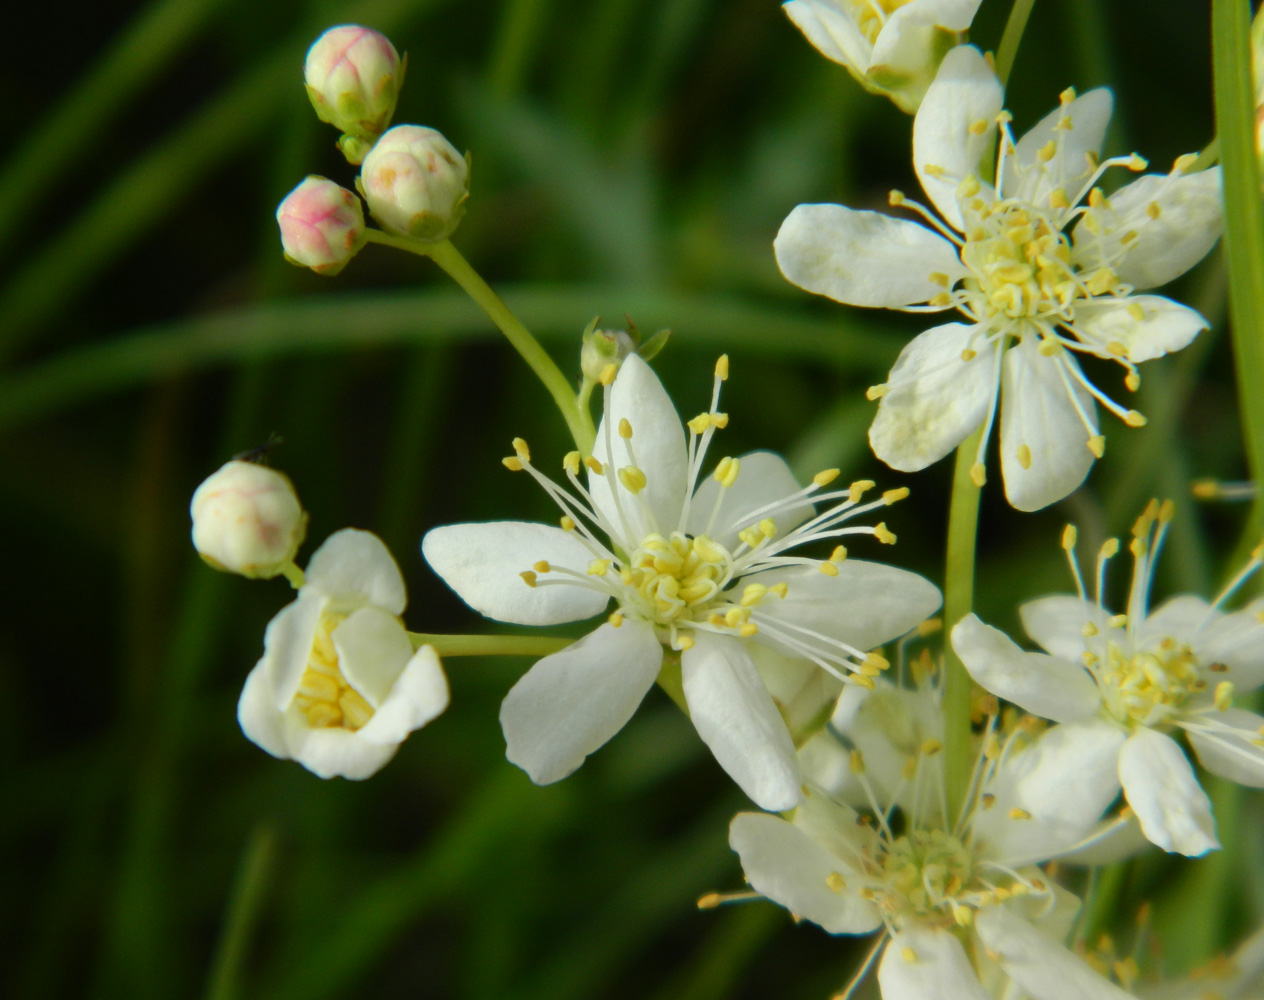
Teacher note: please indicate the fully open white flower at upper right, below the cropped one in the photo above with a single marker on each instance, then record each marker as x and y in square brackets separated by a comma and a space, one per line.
[1042, 266]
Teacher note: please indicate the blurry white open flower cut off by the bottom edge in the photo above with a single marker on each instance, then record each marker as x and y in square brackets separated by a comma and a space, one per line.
[940, 892]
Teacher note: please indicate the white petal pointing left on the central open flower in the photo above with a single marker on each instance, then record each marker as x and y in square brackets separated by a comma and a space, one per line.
[483, 563]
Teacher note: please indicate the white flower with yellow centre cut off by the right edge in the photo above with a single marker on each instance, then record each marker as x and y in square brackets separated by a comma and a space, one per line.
[1128, 681]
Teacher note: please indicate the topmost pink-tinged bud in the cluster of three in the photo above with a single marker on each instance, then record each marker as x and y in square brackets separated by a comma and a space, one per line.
[353, 78]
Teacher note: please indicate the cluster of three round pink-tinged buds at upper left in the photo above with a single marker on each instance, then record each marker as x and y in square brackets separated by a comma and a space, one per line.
[415, 181]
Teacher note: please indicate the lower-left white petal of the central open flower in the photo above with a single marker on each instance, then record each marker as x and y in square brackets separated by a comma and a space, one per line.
[571, 704]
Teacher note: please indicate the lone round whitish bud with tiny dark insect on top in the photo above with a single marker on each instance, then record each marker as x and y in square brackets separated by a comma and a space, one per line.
[247, 520]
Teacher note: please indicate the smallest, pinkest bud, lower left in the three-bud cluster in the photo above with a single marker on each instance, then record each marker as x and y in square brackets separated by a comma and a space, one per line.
[322, 226]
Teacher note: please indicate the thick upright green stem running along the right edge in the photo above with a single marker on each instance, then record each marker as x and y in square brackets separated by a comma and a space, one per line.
[1244, 235]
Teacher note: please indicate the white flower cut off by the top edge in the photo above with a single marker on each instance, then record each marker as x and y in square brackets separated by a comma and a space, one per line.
[892, 47]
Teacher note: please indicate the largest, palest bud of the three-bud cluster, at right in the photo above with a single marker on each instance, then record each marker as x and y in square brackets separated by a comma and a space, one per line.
[416, 184]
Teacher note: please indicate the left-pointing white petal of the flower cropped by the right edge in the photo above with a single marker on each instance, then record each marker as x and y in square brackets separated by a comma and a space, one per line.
[1045, 686]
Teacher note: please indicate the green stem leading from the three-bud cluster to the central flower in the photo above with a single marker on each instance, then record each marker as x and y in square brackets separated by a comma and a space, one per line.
[459, 270]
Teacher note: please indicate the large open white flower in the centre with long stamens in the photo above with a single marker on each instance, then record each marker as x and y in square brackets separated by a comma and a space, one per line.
[703, 571]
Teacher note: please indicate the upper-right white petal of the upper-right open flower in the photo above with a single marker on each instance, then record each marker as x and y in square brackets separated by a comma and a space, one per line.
[1189, 224]
